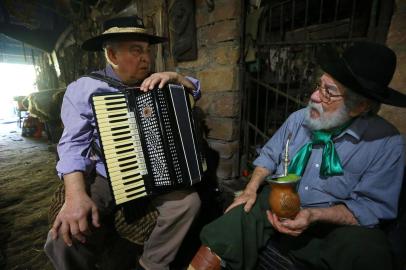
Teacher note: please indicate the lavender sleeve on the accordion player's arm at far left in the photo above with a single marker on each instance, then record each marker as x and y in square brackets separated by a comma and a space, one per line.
[74, 145]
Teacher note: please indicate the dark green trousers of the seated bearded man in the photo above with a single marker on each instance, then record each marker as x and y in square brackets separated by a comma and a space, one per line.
[237, 237]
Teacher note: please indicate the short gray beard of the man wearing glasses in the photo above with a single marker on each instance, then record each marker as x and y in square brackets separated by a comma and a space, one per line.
[333, 120]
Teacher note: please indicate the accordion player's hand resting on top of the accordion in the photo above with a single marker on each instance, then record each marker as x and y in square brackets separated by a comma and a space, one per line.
[161, 78]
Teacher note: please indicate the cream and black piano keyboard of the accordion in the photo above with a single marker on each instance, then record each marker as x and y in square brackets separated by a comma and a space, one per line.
[121, 146]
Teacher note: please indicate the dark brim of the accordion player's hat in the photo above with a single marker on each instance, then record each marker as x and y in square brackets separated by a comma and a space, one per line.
[96, 43]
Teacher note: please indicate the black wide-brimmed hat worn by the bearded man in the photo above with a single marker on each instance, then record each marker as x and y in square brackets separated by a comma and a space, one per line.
[366, 68]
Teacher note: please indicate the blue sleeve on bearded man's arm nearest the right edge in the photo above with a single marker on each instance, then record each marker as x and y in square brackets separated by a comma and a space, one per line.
[376, 196]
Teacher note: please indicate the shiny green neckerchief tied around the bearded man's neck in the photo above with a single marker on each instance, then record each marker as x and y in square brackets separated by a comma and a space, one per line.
[331, 164]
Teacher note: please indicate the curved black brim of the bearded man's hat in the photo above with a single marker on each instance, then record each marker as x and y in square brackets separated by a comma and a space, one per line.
[331, 63]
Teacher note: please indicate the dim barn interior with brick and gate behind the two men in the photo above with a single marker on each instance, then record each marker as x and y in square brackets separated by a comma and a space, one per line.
[256, 64]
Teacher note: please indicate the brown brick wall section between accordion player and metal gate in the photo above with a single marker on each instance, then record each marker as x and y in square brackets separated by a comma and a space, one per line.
[218, 34]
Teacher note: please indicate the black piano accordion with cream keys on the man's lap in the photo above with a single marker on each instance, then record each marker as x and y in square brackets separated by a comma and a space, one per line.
[147, 141]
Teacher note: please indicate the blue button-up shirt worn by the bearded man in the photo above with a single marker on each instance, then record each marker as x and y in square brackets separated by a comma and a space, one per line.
[372, 155]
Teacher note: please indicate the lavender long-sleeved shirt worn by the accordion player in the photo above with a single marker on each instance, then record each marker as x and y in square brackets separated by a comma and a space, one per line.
[74, 148]
